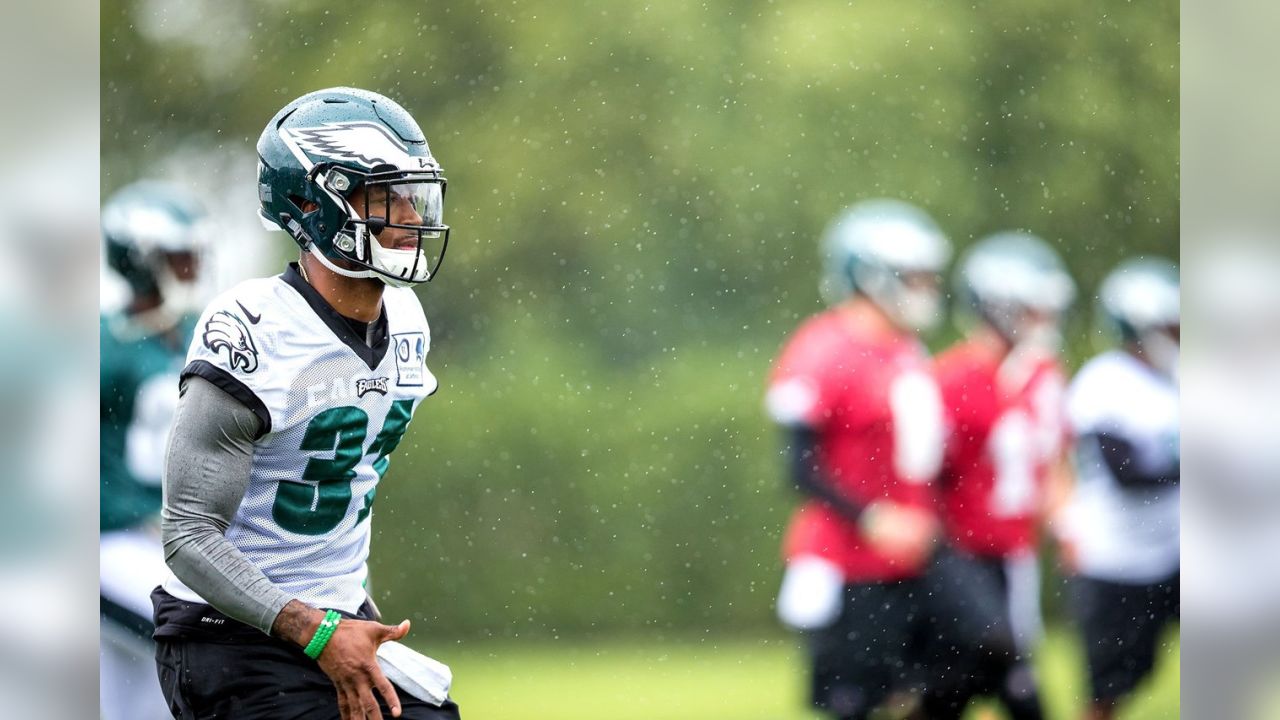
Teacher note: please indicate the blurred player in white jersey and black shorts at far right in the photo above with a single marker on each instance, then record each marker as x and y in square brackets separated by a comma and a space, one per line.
[1121, 531]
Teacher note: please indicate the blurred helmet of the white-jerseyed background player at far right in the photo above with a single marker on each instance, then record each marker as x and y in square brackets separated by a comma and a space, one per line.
[1141, 302]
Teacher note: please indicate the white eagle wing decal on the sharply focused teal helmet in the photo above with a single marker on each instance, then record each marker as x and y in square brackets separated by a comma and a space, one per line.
[363, 143]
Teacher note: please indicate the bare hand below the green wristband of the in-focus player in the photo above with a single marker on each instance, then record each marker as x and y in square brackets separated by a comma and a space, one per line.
[351, 663]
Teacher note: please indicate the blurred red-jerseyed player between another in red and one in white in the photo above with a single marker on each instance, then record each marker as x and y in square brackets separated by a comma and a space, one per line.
[1003, 390]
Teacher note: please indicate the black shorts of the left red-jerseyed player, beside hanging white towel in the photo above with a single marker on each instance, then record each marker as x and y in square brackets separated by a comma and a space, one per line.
[862, 658]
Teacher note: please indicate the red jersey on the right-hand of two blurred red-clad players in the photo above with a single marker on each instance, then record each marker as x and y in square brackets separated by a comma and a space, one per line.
[1007, 431]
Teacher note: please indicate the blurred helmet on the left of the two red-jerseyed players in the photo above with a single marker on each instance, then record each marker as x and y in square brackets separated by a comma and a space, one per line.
[892, 253]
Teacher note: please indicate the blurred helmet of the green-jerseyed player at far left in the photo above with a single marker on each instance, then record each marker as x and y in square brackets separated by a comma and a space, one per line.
[156, 235]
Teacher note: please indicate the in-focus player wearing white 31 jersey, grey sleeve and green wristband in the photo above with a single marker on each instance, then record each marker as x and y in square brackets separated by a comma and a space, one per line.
[298, 389]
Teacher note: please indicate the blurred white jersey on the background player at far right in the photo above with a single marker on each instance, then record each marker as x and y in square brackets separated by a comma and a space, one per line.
[1127, 536]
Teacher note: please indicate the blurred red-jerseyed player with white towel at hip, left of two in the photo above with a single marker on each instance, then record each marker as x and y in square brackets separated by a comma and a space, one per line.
[863, 423]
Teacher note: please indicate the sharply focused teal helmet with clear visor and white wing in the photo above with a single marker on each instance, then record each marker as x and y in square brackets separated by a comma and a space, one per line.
[341, 170]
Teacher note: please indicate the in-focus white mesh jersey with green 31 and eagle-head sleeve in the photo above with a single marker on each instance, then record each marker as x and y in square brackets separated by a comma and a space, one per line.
[333, 409]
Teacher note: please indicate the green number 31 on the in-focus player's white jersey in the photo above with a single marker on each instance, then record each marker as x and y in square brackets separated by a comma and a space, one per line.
[319, 505]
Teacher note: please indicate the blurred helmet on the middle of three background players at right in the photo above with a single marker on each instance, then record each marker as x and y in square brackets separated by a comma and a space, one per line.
[1018, 285]
